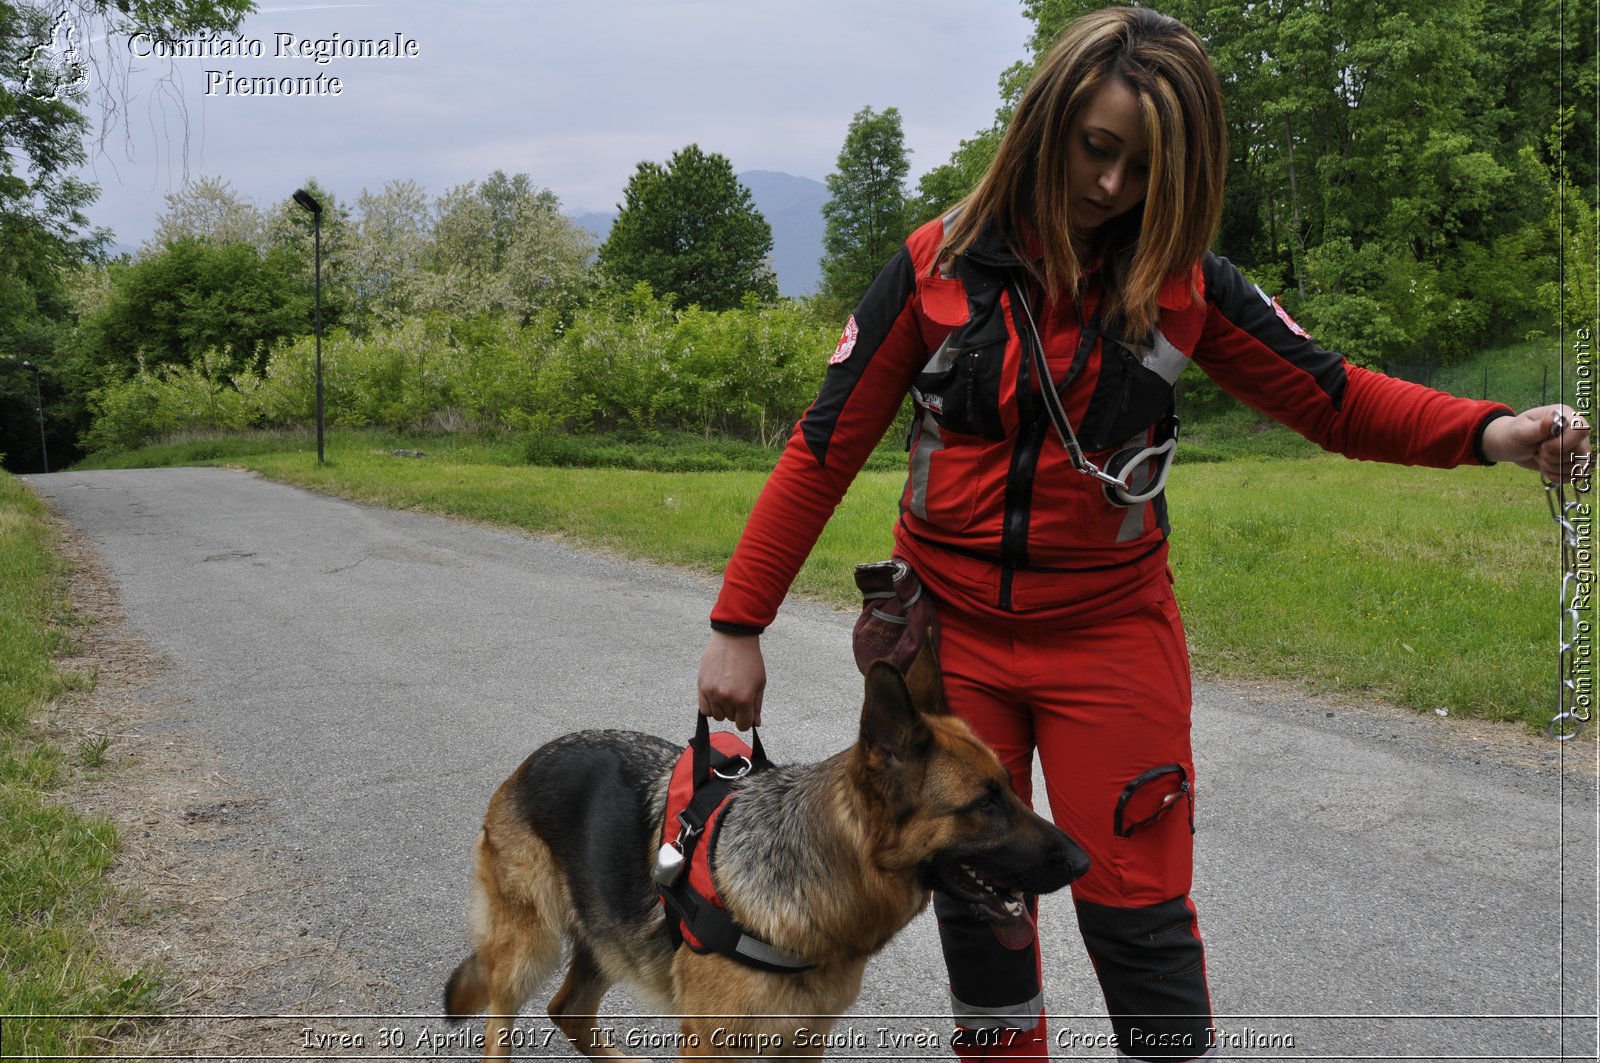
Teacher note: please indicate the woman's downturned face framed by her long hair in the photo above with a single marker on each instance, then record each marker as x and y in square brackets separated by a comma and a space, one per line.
[1108, 158]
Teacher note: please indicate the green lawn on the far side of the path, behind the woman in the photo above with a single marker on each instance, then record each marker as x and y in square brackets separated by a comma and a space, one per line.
[1426, 588]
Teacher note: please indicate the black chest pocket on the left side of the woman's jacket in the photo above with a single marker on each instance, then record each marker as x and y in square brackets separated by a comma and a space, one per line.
[961, 383]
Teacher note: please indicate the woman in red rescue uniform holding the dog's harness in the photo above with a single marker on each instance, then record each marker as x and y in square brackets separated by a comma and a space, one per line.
[1079, 263]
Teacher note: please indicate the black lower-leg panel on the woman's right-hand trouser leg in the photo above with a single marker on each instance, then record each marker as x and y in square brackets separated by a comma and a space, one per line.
[1151, 968]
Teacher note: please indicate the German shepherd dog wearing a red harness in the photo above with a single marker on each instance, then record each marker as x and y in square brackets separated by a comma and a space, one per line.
[826, 862]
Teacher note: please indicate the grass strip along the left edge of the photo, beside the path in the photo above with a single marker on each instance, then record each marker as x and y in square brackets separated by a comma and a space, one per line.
[52, 860]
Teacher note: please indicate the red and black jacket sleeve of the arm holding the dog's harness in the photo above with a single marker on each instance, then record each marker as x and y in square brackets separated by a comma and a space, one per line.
[886, 345]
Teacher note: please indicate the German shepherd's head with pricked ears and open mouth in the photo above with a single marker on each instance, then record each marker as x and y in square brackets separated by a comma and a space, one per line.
[950, 811]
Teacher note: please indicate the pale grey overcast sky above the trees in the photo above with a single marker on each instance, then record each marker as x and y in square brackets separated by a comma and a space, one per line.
[572, 92]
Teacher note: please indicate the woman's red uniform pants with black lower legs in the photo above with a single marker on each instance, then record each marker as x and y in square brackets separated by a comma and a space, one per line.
[1108, 708]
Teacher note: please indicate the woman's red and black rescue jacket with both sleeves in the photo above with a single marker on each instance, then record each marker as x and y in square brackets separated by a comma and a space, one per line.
[994, 516]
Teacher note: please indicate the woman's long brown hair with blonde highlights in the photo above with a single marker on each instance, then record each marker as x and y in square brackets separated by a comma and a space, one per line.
[1026, 187]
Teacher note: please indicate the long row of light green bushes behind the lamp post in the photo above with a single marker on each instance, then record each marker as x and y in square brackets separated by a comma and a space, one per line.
[631, 364]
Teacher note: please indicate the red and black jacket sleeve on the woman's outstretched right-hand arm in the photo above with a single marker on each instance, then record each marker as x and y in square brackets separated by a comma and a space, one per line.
[1262, 358]
